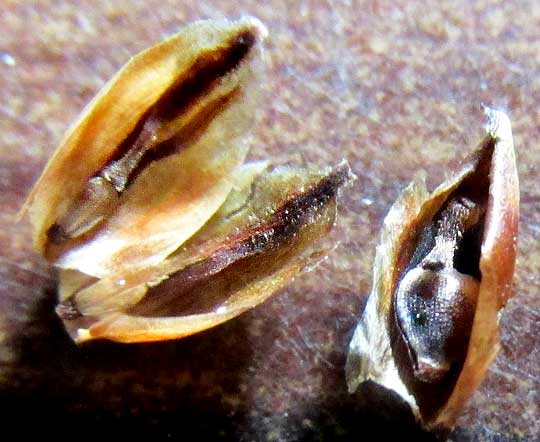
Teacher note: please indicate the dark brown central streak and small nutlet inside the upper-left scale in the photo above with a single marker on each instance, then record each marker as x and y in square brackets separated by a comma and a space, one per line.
[146, 142]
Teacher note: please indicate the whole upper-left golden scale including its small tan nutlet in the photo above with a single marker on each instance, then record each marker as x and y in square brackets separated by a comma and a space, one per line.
[182, 103]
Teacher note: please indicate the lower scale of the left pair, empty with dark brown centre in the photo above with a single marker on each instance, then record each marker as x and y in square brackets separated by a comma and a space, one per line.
[214, 278]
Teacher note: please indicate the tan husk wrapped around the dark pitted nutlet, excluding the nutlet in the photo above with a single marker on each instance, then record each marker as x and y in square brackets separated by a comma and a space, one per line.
[373, 354]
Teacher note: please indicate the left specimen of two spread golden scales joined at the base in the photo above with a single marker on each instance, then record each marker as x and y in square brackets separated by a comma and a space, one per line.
[157, 227]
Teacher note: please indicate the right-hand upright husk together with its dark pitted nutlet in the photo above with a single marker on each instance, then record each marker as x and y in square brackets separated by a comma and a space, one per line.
[442, 274]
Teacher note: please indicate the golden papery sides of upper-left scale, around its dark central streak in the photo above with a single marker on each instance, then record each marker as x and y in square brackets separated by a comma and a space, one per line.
[172, 197]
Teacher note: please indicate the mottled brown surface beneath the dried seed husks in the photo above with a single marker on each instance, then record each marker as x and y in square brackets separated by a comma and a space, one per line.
[393, 86]
